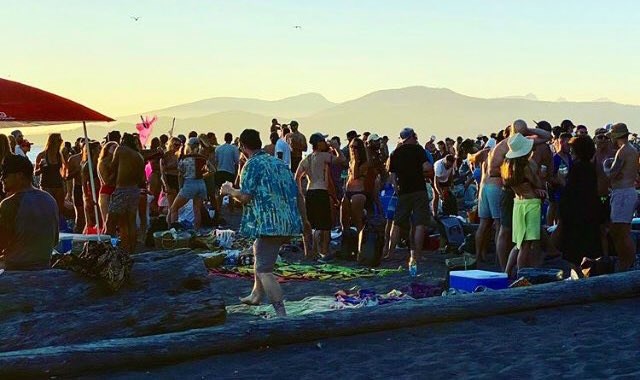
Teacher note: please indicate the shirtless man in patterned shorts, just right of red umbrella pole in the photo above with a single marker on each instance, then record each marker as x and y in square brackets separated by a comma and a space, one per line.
[128, 166]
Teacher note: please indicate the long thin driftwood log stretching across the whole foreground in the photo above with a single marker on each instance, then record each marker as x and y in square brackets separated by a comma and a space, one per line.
[148, 351]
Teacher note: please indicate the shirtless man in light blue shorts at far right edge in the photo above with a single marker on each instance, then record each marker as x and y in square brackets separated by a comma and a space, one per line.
[623, 172]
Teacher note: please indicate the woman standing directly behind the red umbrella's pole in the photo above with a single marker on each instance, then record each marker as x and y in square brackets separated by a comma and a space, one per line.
[89, 210]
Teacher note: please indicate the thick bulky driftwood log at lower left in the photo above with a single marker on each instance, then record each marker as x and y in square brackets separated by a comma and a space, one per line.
[168, 291]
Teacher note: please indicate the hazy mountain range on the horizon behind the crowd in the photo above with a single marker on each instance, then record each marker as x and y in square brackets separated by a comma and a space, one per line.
[430, 111]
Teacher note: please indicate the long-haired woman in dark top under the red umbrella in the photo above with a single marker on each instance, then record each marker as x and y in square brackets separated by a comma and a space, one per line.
[50, 166]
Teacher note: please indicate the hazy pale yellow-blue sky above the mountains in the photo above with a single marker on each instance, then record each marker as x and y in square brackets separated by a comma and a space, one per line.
[179, 51]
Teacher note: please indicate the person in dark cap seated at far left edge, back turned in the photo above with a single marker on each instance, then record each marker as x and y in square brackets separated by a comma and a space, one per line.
[28, 219]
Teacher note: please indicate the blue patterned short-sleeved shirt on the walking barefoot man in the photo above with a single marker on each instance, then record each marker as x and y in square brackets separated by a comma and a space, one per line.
[273, 209]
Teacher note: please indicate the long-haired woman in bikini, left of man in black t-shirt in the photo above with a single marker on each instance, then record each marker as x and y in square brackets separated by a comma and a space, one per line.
[356, 197]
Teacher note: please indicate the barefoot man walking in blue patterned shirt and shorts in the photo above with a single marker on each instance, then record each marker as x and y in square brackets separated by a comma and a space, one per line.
[271, 215]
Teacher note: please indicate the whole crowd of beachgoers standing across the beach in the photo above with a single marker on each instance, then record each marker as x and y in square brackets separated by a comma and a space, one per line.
[516, 182]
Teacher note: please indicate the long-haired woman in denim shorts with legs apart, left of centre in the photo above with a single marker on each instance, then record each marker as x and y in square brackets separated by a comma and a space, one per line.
[191, 167]
